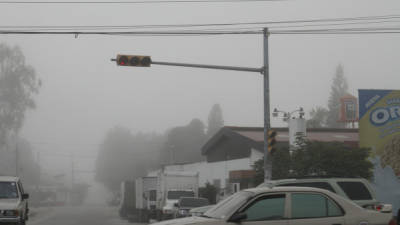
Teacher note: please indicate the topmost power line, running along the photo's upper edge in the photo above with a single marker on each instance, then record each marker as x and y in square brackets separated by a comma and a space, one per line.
[136, 2]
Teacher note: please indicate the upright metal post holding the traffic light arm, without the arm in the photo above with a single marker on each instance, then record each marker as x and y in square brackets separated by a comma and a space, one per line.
[267, 121]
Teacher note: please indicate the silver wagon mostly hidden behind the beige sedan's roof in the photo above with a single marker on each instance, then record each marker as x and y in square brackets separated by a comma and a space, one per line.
[358, 190]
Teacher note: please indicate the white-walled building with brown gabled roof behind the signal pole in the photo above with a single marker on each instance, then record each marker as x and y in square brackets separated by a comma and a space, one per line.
[231, 153]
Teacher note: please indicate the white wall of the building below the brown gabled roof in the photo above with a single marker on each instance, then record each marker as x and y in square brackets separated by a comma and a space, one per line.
[216, 170]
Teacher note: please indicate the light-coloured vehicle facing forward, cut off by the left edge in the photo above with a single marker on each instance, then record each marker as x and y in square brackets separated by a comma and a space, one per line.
[13, 201]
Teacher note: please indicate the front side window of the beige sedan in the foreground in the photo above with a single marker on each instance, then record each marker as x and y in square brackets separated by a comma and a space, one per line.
[271, 207]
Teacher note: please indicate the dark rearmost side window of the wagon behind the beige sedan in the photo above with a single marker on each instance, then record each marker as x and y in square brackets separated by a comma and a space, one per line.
[355, 190]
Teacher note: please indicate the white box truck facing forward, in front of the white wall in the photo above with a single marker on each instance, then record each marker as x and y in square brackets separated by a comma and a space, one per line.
[171, 186]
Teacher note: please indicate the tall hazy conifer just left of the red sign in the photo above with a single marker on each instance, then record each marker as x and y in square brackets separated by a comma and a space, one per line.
[339, 88]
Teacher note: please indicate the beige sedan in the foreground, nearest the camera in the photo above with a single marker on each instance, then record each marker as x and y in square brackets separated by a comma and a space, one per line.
[288, 206]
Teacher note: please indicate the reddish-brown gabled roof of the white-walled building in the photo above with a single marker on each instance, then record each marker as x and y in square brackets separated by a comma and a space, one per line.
[254, 136]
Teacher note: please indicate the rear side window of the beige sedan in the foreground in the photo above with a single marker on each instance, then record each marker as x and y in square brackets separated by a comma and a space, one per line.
[309, 205]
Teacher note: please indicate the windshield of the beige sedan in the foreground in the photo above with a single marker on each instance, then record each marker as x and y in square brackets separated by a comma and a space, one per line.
[229, 205]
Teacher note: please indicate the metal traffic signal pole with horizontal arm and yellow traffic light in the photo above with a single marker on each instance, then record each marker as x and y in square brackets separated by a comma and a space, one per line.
[263, 70]
